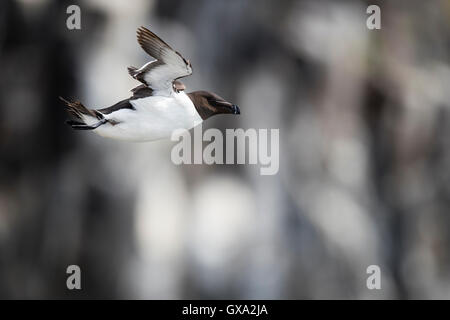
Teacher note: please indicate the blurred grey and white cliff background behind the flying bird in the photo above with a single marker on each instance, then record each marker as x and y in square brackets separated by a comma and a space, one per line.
[364, 120]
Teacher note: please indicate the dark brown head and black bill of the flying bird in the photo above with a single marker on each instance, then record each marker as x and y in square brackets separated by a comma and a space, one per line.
[209, 104]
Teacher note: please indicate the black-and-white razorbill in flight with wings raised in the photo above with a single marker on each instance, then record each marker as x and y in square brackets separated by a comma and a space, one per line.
[158, 106]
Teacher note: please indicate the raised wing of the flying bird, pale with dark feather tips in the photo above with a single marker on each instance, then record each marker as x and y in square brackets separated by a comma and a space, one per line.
[168, 66]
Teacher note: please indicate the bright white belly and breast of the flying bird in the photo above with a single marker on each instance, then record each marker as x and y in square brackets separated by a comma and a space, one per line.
[154, 118]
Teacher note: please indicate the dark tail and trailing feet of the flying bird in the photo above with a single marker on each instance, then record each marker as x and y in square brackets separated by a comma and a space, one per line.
[86, 119]
